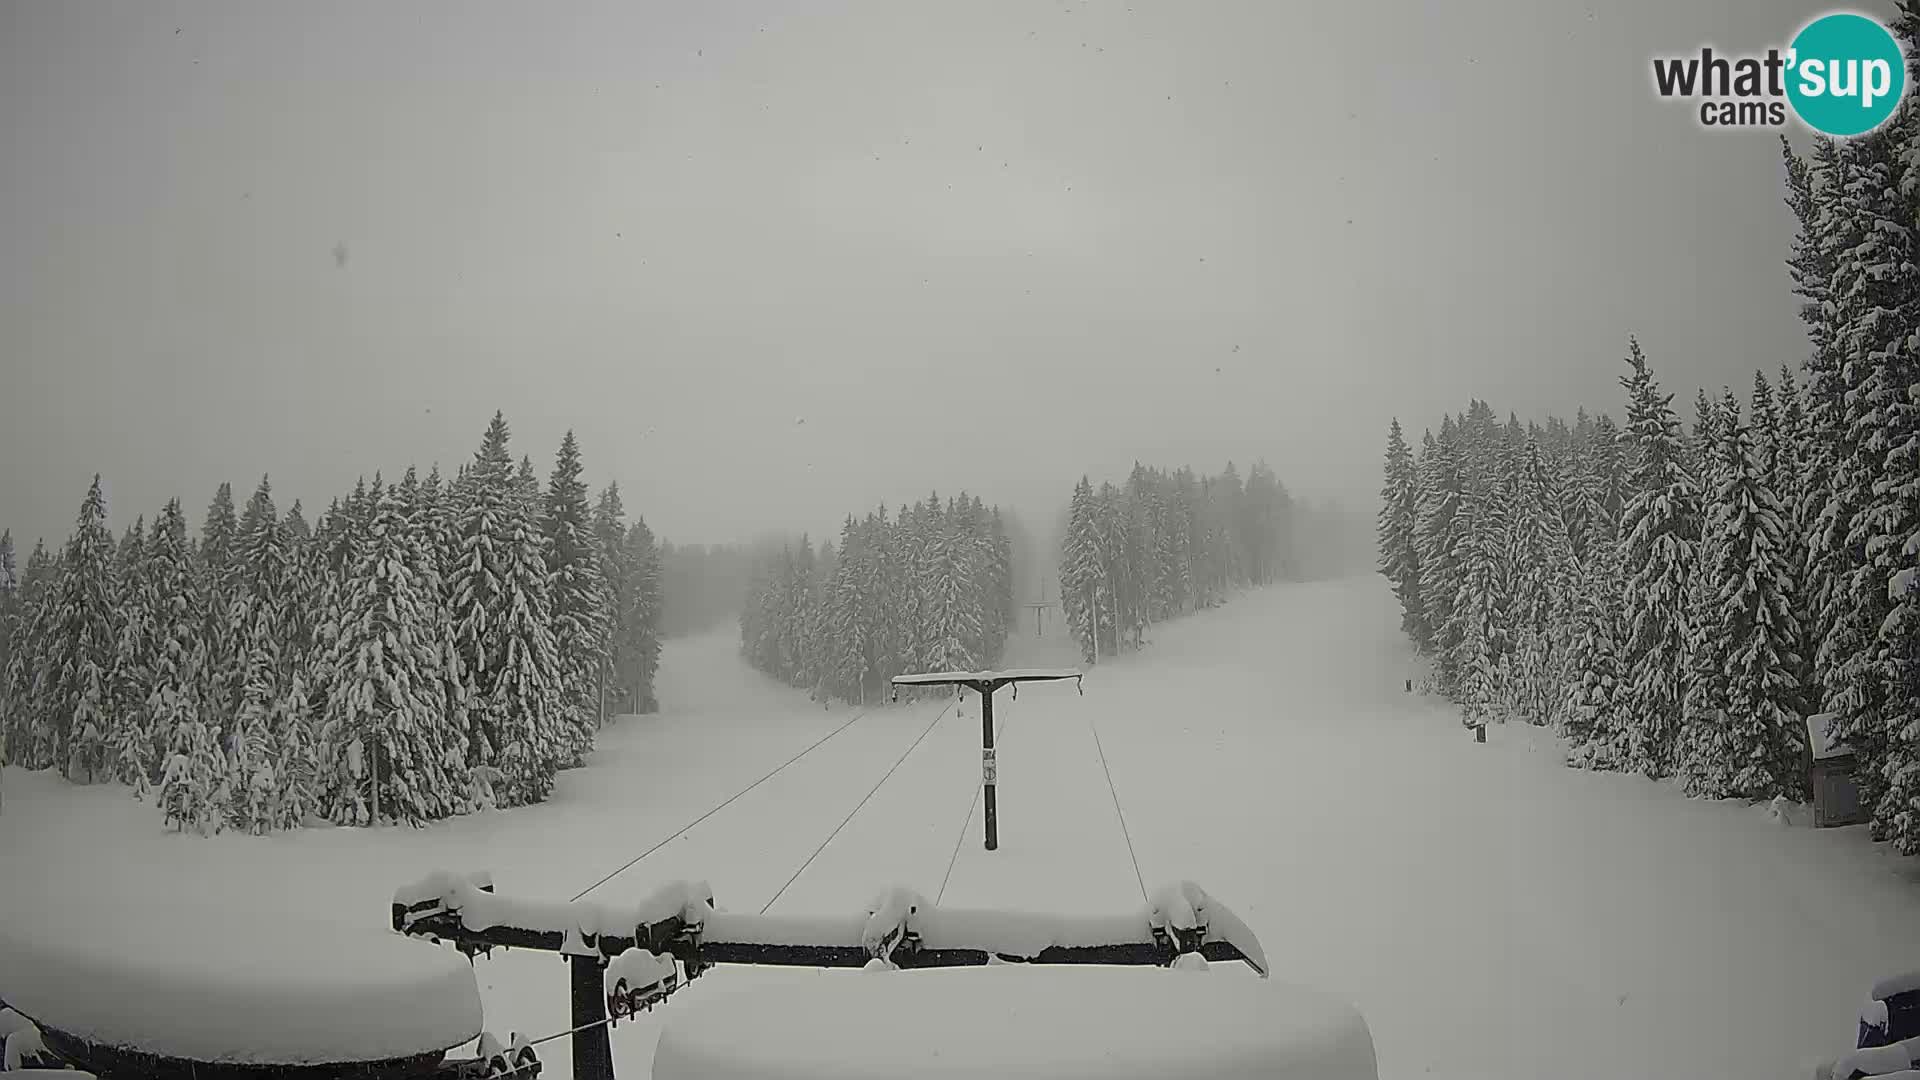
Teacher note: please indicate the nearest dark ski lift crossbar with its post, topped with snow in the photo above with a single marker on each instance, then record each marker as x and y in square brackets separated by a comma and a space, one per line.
[633, 956]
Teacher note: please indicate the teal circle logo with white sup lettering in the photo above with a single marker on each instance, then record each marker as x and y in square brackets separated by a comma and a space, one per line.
[1846, 74]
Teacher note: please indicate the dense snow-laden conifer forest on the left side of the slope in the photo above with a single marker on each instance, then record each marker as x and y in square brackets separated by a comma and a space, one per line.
[421, 649]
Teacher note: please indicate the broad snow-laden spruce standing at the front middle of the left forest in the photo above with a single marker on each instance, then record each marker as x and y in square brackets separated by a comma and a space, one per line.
[385, 722]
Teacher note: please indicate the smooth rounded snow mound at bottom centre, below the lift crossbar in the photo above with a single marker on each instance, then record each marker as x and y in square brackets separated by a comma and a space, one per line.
[1013, 1023]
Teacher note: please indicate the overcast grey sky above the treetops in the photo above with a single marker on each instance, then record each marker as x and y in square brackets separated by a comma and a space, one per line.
[969, 245]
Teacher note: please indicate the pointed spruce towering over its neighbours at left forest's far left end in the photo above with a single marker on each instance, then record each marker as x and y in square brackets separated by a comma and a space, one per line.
[76, 652]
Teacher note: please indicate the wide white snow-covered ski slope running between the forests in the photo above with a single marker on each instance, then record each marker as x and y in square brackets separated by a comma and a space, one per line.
[1493, 914]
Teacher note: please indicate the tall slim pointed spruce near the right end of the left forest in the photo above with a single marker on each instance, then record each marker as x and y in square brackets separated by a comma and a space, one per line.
[583, 633]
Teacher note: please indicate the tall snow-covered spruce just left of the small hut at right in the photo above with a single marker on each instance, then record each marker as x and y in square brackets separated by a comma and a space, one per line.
[1756, 747]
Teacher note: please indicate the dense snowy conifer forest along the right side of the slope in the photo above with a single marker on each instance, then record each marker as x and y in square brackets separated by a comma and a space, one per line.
[1679, 597]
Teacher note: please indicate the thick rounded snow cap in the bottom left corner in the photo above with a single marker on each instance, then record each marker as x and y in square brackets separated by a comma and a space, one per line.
[233, 985]
